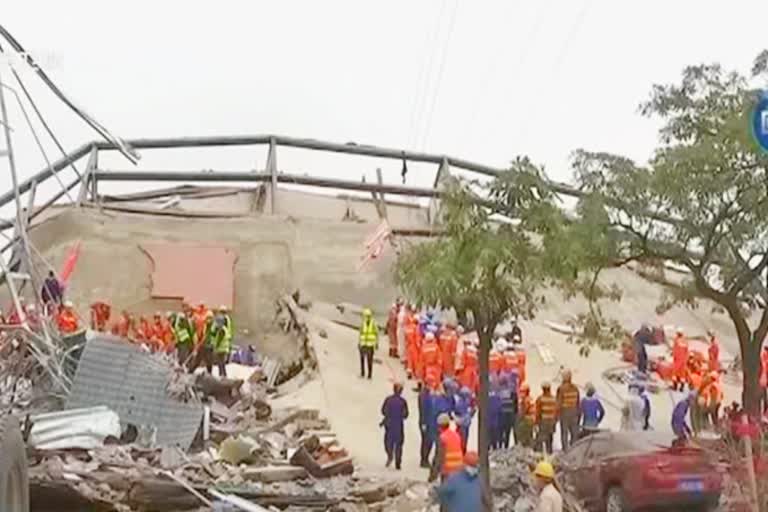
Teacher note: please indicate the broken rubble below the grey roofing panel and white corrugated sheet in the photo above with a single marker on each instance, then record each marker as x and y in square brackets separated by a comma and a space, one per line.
[289, 461]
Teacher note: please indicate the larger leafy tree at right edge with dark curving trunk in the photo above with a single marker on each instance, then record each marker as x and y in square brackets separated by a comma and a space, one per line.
[701, 202]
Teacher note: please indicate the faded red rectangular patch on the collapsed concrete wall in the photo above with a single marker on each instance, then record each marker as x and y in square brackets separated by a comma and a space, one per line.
[193, 274]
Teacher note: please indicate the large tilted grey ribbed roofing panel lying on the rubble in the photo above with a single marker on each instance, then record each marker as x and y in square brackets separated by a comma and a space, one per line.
[132, 383]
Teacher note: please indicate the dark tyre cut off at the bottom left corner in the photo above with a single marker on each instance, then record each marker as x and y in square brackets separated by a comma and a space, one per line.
[14, 479]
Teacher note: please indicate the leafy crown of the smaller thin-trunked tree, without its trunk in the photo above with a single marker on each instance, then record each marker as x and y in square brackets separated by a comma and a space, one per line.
[488, 269]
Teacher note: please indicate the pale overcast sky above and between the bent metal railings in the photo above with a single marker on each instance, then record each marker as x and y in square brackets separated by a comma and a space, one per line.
[483, 80]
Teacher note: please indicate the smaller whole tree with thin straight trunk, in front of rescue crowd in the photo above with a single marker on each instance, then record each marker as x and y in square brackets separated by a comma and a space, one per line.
[487, 269]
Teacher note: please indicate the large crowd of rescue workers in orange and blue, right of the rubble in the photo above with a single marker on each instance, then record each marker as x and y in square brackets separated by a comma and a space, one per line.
[444, 361]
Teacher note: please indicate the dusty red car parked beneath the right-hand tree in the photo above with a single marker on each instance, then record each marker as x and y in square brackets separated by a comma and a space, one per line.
[627, 471]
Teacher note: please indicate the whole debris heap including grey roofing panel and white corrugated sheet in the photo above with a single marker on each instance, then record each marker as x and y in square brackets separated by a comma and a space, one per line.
[122, 455]
